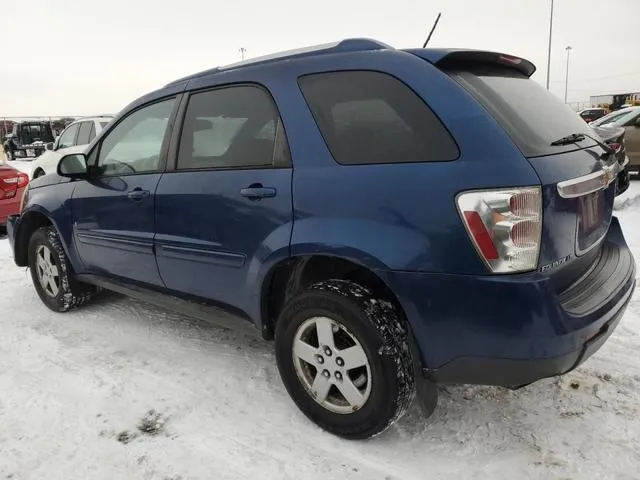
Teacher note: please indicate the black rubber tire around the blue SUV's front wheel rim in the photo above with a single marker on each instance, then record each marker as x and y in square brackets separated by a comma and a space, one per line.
[70, 292]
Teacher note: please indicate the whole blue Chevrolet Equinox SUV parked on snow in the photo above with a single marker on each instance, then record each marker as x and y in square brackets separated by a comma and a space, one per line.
[393, 218]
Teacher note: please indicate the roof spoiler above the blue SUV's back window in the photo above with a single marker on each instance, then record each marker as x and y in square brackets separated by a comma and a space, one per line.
[460, 59]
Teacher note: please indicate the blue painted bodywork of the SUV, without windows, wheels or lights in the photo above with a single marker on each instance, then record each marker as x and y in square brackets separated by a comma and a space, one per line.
[196, 235]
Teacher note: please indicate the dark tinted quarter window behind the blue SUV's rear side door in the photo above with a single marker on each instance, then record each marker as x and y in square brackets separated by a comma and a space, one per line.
[370, 117]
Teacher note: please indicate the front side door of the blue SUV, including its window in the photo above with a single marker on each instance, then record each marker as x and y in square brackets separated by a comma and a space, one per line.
[113, 211]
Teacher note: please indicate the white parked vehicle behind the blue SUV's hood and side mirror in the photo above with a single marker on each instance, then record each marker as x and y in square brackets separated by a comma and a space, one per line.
[73, 139]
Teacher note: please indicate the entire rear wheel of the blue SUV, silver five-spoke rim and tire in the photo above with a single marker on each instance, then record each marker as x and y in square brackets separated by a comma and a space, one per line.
[344, 357]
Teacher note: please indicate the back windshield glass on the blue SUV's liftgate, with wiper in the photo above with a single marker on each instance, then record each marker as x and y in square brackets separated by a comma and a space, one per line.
[532, 116]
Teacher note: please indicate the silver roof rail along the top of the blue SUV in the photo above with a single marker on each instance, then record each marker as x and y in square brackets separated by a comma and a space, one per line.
[347, 45]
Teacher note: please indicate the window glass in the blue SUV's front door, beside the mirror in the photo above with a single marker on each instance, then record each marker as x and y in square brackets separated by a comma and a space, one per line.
[134, 145]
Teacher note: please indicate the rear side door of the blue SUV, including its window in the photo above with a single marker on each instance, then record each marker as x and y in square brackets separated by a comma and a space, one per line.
[227, 205]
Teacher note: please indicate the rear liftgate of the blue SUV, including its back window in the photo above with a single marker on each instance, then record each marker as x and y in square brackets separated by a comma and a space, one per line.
[576, 175]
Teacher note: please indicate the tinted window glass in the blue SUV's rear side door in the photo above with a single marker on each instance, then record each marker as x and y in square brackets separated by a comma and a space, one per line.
[232, 127]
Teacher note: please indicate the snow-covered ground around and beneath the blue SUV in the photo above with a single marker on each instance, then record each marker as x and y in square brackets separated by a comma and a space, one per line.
[75, 387]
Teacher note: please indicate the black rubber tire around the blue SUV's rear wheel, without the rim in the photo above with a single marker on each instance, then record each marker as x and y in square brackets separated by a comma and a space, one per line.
[376, 325]
